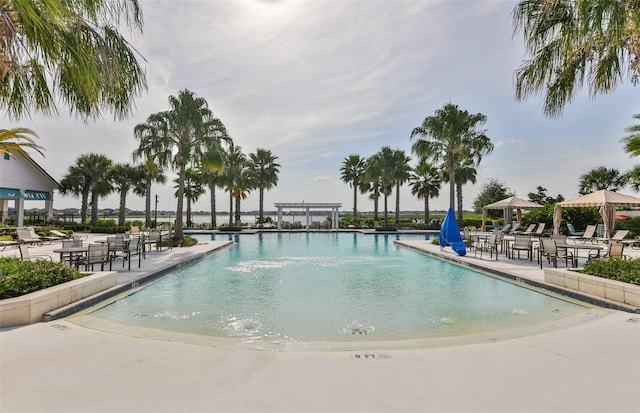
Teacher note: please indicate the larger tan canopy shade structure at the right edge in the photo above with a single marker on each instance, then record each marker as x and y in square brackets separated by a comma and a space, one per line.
[606, 201]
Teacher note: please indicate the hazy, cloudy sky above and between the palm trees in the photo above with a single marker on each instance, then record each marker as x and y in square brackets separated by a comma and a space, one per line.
[316, 81]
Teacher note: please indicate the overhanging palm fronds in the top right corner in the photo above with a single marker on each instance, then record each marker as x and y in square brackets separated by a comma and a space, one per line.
[576, 41]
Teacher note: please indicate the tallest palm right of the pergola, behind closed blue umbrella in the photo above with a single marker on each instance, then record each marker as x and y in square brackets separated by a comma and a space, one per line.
[452, 137]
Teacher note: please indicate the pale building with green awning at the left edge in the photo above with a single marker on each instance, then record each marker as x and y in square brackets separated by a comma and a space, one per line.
[22, 181]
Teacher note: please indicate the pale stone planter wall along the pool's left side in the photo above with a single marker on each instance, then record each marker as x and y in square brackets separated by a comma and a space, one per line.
[30, 308]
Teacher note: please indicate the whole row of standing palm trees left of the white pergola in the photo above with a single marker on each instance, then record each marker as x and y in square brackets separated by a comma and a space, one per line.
[188, 140]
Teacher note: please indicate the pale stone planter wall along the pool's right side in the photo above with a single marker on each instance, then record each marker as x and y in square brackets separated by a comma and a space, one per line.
[611, 290]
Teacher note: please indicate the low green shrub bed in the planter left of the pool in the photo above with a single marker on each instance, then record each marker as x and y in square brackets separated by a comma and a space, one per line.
[18, 277]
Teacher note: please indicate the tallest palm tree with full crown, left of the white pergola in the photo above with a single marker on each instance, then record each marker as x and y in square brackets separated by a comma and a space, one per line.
[180, 137]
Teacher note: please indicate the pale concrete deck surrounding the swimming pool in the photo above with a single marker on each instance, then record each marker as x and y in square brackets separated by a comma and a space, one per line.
[586, 366]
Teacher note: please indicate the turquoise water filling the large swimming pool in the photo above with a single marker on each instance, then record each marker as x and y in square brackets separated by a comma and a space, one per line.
[331, 287]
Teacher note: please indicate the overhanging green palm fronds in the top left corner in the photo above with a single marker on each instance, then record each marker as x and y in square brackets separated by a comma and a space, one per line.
[71, 51]
